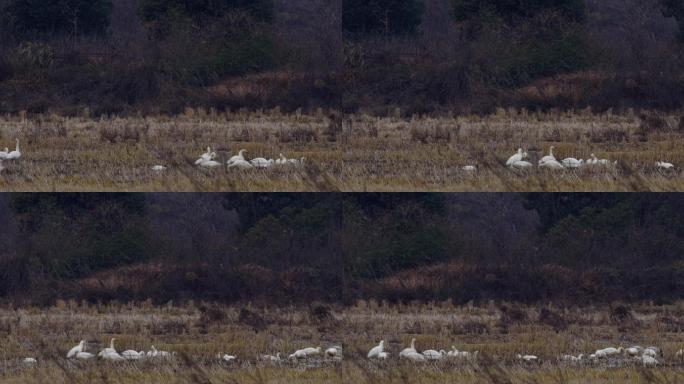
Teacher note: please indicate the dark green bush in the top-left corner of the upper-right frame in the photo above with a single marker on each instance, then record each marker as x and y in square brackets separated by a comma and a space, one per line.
[388, 17]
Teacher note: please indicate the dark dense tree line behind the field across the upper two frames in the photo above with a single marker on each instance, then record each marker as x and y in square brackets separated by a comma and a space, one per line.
[120, 56]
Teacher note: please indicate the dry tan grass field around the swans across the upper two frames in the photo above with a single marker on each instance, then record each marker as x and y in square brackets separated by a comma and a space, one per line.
[362, 153]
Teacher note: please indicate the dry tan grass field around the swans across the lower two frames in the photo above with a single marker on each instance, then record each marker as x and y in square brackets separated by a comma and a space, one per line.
[197, 335]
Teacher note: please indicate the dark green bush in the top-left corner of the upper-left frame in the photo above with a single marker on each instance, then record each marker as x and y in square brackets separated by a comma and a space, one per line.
[28, 18]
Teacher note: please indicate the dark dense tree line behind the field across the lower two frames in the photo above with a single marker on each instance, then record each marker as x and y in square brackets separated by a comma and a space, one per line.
[338, 247]
